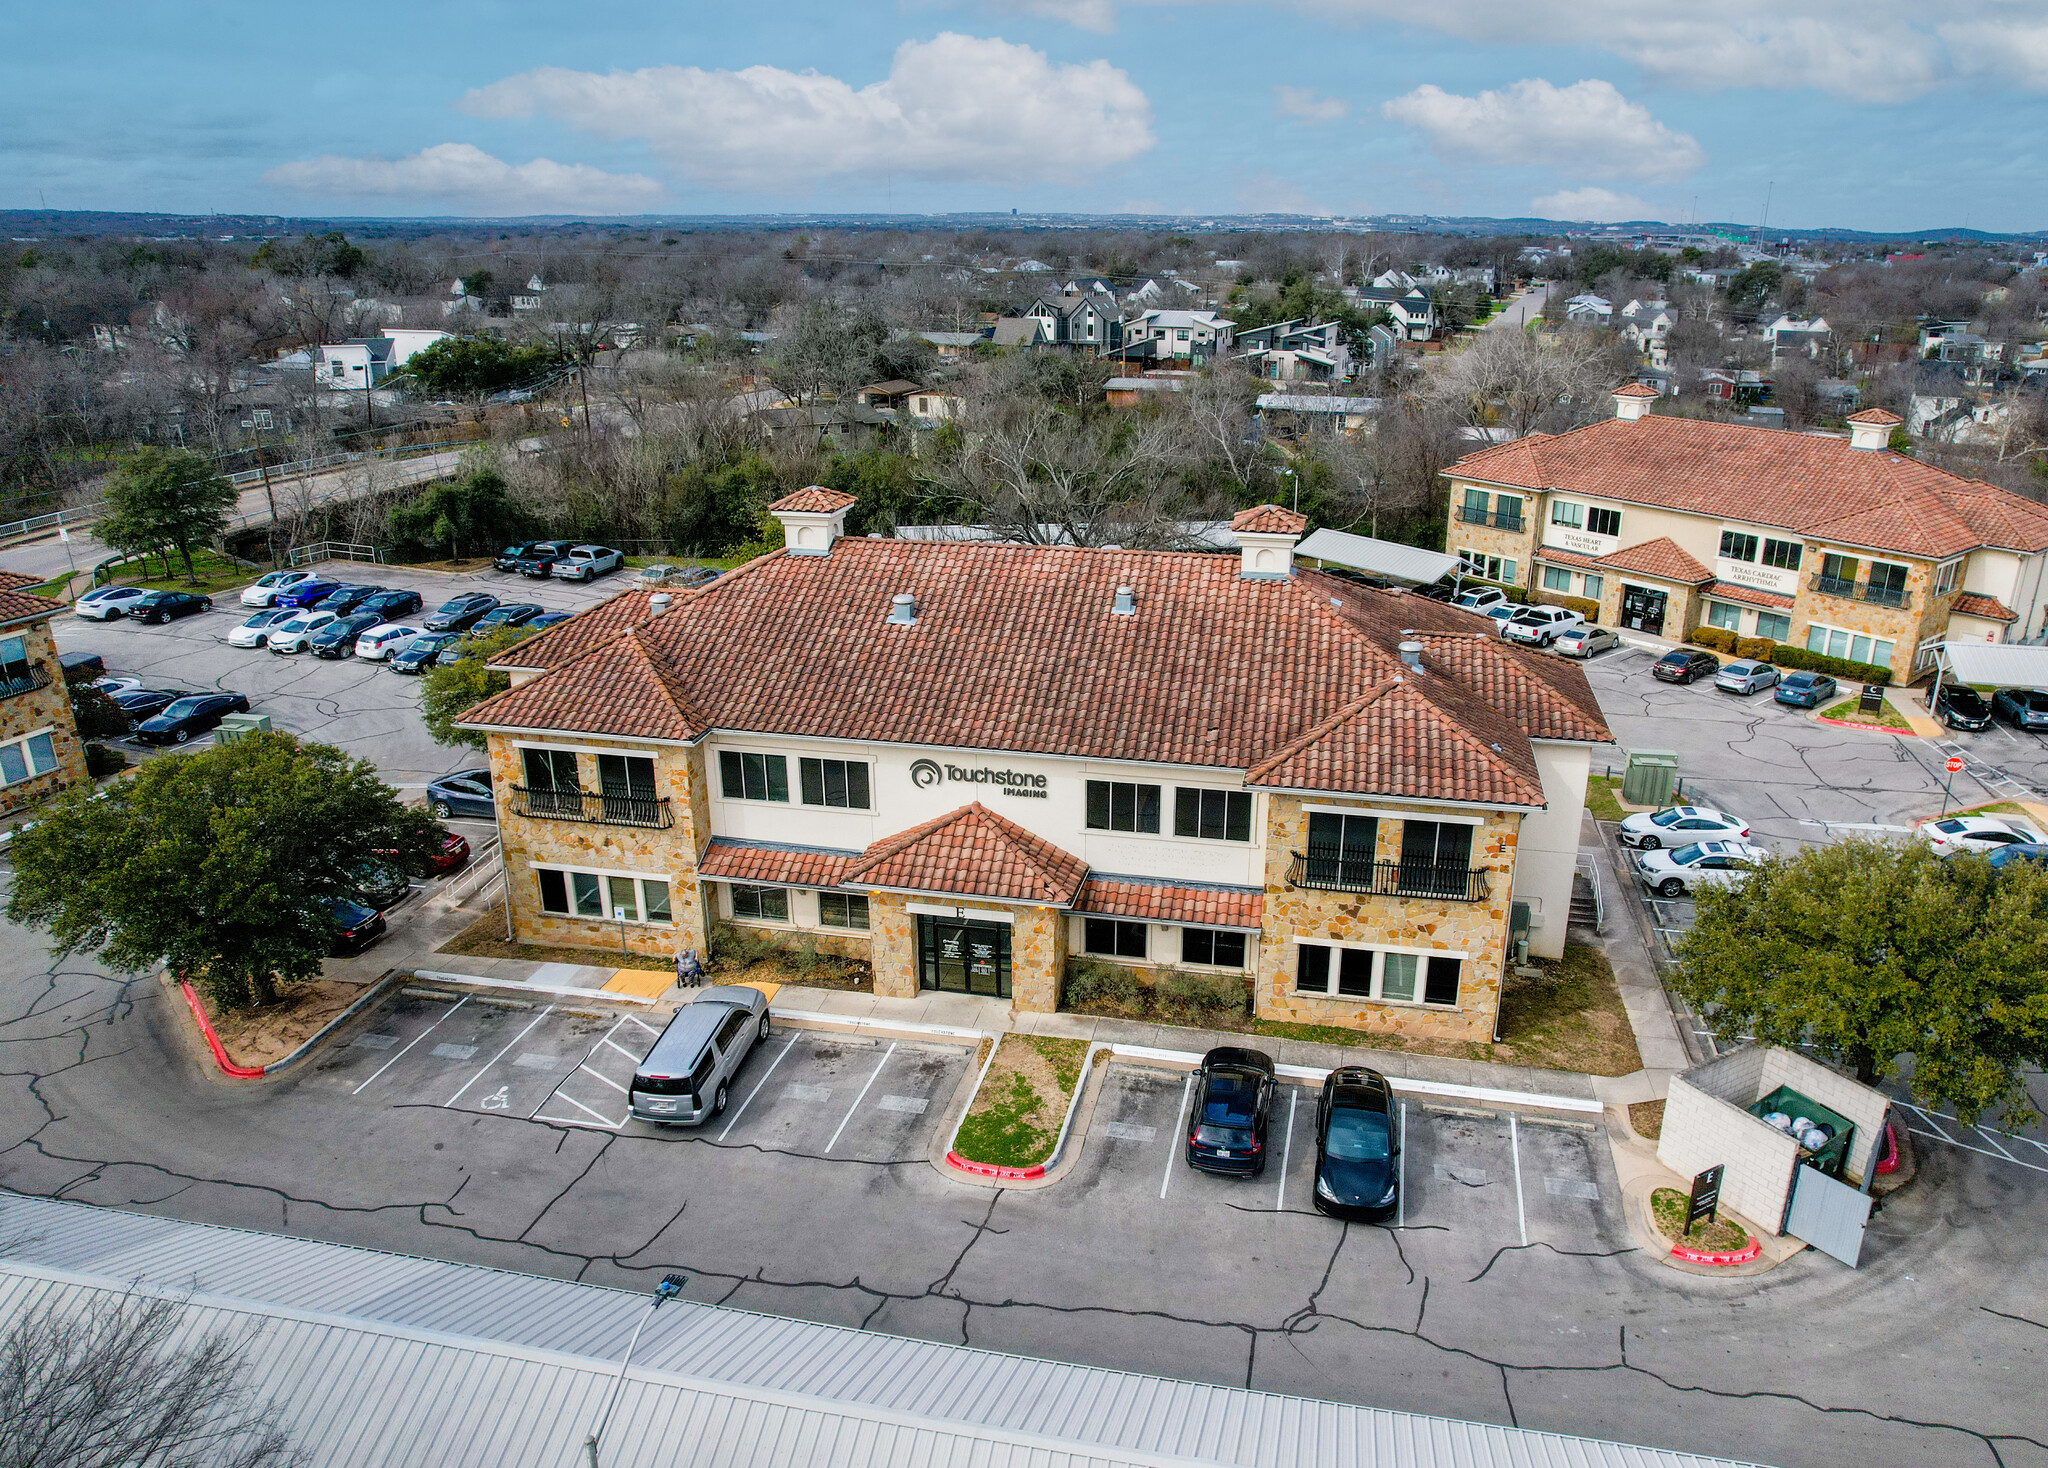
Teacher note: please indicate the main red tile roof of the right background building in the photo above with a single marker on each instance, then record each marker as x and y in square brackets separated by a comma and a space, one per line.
[1766, 476]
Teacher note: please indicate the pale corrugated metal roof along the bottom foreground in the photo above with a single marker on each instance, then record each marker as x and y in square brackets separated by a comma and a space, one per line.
[380, 1358]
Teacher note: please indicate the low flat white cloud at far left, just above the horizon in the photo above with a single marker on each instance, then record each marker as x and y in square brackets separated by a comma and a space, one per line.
[466, 177]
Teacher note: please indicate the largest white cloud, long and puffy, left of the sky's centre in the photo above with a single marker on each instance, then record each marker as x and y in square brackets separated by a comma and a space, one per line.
[951, 107]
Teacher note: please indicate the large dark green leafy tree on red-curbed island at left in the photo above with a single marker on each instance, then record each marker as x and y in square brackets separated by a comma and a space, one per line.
[222, 863]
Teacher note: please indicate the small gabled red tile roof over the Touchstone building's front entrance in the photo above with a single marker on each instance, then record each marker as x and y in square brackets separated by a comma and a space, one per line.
[972, 853]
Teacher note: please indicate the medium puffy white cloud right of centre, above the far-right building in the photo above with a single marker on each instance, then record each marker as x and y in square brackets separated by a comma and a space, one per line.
[1584, 128]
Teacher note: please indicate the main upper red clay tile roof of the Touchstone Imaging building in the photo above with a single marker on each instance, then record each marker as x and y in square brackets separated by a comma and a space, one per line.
[1017, 650]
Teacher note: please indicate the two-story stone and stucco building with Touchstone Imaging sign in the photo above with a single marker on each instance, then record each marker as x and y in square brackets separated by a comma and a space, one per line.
[968, 763]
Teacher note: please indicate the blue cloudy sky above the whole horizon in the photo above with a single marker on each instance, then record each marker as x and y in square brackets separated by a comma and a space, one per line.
[1865, 114]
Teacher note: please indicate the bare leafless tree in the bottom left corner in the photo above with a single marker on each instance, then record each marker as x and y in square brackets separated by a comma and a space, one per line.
[126, 1383]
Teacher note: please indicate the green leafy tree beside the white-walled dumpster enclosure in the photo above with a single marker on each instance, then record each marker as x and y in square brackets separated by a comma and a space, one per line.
[1873, 951]
